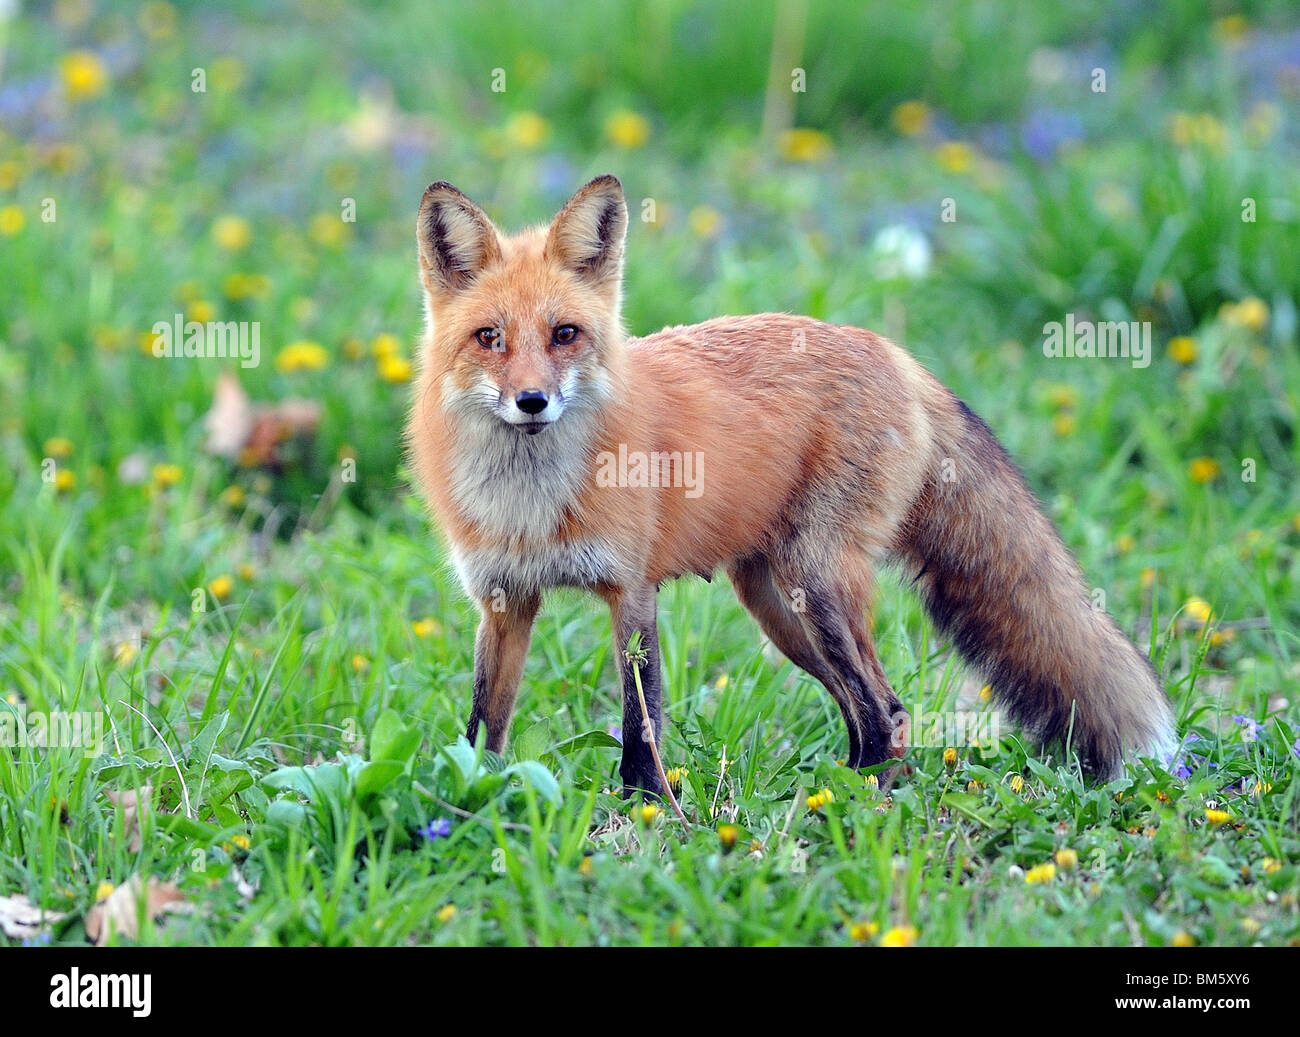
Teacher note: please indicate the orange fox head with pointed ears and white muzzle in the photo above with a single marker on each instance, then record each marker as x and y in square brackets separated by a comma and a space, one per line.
[523, 328]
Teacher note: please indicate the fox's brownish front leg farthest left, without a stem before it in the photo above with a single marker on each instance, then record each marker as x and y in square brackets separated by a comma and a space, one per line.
[501, 648]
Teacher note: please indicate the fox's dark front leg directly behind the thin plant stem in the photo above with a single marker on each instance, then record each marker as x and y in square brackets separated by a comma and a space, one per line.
[634, 611]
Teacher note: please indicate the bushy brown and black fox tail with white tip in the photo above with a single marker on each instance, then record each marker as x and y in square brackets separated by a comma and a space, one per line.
[996, 578]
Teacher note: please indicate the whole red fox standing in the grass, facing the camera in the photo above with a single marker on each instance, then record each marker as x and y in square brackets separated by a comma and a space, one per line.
[794, 454]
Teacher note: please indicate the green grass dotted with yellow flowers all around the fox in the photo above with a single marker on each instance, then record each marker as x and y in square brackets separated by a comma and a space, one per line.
[344, 645]
